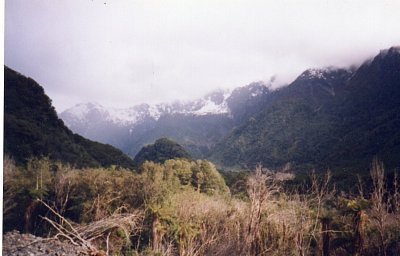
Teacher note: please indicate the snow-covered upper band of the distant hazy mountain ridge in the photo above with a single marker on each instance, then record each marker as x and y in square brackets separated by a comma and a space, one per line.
[215, 103]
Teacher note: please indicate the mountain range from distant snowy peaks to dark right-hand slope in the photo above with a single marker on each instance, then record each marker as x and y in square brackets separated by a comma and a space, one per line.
[327, 118]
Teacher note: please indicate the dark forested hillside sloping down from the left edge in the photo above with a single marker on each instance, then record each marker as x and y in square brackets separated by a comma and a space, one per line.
[32, 129]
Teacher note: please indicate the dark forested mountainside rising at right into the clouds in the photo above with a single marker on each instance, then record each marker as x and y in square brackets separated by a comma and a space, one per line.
[325, 119]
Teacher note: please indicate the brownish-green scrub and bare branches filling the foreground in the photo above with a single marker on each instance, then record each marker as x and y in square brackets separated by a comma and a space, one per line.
[183, 207]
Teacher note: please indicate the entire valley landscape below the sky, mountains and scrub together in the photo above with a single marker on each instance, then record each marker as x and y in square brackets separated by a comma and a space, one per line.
[306, 169]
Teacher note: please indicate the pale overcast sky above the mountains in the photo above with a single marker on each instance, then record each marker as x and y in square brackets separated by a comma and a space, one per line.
[121, 53]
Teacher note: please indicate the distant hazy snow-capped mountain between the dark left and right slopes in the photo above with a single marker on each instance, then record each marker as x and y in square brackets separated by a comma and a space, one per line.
[195, 124]
